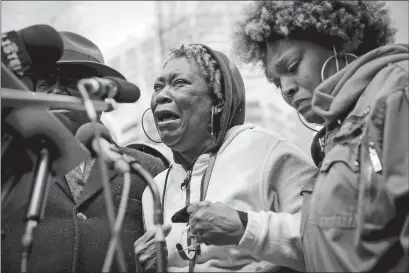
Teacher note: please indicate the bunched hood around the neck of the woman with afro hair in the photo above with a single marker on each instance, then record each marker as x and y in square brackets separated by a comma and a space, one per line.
[336, 96]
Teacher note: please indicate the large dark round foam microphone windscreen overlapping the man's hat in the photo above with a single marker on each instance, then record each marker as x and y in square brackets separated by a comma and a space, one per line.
[44, 45]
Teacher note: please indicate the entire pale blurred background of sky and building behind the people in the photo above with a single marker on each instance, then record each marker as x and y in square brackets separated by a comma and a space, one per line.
[135, 38]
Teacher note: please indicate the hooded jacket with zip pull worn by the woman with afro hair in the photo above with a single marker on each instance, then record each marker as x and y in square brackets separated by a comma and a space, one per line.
[357, 215]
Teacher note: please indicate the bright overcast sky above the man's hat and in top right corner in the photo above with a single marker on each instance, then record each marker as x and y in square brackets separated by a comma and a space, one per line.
[109, 23]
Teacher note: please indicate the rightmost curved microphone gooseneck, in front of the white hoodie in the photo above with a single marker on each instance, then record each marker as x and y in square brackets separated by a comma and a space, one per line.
[160, 239]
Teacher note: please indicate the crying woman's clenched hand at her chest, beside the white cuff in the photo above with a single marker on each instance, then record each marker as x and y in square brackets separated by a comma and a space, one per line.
[215, 223]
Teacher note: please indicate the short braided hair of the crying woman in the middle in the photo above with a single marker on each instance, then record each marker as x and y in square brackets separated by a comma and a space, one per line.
[208, 66]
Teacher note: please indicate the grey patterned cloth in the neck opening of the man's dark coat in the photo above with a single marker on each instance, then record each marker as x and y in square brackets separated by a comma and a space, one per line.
[94, 182]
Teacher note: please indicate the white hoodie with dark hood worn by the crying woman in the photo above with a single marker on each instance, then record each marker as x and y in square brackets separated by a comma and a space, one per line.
[255, 171]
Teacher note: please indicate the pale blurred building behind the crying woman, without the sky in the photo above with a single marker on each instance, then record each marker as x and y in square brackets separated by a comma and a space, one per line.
[210, 23]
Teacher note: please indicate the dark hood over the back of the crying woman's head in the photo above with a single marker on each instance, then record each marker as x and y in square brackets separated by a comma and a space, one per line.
[234, 106]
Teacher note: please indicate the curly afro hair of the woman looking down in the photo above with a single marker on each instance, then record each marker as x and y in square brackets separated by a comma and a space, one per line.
[351, 26]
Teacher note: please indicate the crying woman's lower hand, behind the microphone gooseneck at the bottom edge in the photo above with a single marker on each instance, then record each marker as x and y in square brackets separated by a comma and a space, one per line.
[145, 250]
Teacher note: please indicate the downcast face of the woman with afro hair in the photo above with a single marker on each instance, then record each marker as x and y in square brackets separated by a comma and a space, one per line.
[295, 67]
